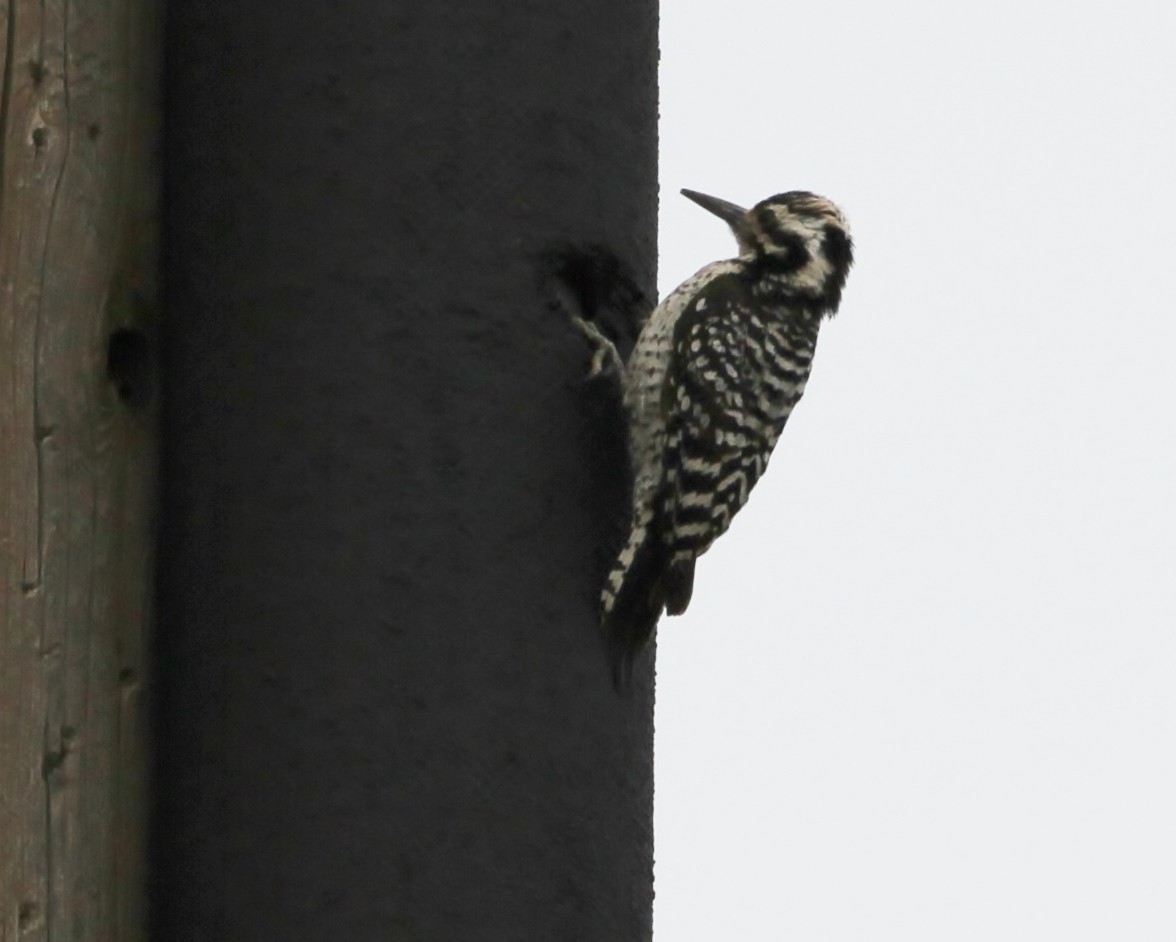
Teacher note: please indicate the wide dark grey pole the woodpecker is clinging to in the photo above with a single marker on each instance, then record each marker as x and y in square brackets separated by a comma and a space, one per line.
[390, 496]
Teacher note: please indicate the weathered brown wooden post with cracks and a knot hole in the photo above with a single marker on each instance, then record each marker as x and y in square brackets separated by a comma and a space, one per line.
[78, 284]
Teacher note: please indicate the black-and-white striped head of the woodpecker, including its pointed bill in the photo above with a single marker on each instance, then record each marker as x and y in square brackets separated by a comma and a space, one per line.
[794, 242]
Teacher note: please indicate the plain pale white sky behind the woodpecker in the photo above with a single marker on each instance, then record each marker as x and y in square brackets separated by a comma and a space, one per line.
[927, 686]
